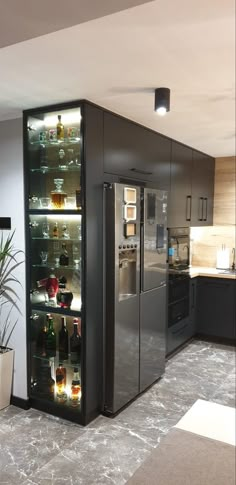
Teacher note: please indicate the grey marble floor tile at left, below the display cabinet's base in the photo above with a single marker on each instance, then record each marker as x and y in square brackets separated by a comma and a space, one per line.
[34, 439]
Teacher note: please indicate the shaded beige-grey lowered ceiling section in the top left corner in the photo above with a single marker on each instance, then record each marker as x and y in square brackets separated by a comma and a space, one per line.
[26, 19]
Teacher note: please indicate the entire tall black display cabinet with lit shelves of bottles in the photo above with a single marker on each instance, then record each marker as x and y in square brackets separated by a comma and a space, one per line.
[64, 187]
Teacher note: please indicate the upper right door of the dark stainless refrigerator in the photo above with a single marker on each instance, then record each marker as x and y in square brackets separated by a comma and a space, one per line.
[154, 239]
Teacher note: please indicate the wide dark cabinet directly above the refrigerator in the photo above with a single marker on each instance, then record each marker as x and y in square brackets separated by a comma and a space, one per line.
[135, 152]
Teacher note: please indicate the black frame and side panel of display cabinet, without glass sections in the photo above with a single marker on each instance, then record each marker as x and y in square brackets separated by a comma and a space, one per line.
[92, 262]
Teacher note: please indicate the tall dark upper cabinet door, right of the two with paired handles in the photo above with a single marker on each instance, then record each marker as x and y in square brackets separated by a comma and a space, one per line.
[202, 189]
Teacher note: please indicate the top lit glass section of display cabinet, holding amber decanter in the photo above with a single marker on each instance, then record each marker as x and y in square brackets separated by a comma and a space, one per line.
[54, 160]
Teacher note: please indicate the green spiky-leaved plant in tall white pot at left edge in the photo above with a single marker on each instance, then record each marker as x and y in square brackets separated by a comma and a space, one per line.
[8, 302]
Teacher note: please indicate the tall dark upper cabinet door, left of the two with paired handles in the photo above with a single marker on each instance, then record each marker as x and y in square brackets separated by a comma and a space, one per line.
[179, 204]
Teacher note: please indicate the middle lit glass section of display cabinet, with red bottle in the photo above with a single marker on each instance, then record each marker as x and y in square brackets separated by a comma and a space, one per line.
[56, 262]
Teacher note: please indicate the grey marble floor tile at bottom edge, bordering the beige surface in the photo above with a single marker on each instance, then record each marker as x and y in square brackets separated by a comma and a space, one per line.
[108, 455]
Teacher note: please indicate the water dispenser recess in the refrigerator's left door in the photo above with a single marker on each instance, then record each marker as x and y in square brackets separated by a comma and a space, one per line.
[127, 274]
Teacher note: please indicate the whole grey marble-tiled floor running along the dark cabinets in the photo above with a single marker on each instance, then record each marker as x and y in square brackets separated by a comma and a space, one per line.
[38, 449]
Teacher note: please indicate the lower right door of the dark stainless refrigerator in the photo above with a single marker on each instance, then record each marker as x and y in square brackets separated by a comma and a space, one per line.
[152, 336]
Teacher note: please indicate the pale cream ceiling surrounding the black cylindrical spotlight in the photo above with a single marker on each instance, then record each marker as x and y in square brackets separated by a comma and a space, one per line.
[117, 61]
